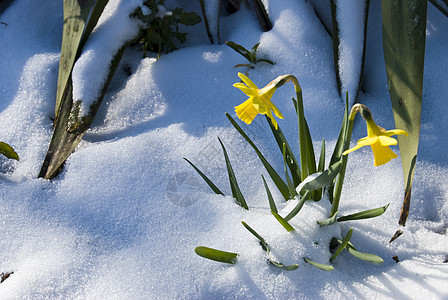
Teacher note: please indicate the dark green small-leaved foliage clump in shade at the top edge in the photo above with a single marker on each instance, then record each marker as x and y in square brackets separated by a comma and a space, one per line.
[161, 26]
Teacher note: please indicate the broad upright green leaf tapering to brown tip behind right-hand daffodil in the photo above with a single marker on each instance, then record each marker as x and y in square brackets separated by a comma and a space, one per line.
[404, 36]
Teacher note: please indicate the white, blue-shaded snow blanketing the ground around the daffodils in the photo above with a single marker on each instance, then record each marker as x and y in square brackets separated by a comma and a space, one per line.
[124, 217]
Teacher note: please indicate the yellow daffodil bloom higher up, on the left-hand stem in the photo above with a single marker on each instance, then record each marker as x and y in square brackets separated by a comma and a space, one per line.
[259, 101]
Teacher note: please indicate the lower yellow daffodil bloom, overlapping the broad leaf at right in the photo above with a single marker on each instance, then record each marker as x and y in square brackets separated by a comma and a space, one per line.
[379, 140]
